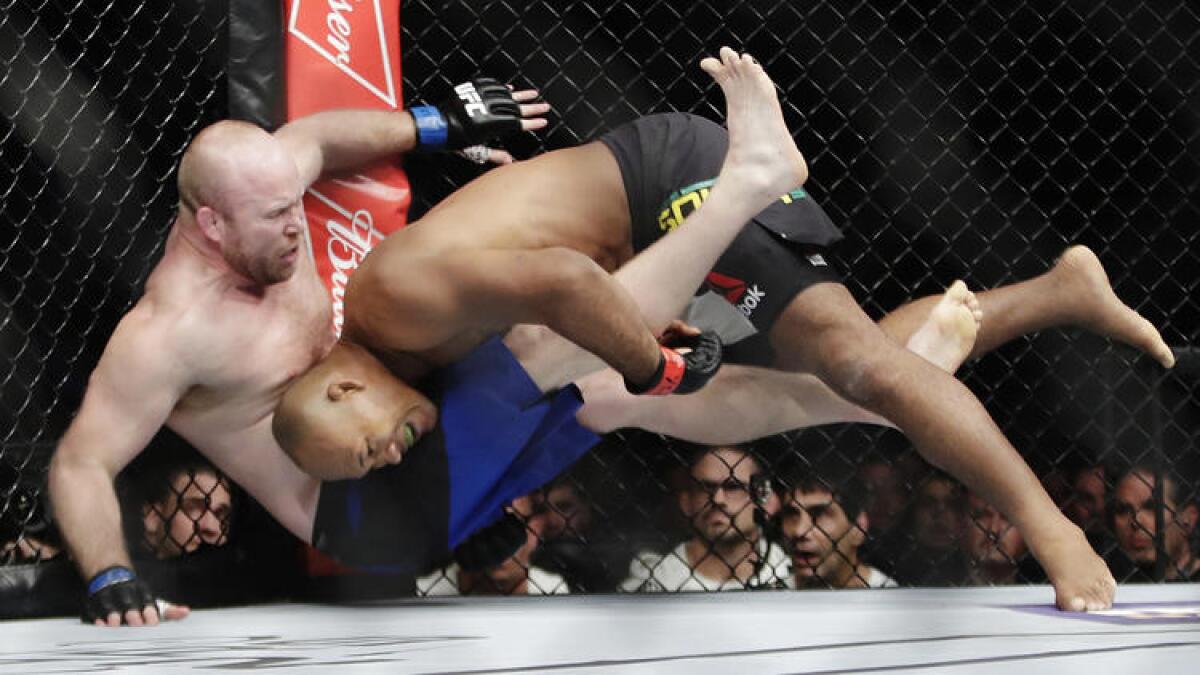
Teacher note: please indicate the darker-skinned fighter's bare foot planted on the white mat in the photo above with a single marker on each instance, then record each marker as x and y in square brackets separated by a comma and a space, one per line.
[1082, 581]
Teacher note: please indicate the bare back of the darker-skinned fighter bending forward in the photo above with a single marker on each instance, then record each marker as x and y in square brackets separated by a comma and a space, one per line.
[567, 200]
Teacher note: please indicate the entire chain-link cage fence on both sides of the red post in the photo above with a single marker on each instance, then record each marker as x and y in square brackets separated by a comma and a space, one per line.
[949, 140]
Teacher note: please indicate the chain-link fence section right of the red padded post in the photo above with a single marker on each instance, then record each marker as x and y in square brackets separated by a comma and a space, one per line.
[951, 141]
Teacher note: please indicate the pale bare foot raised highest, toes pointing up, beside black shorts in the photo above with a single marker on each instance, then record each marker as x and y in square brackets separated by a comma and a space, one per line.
[763, 160]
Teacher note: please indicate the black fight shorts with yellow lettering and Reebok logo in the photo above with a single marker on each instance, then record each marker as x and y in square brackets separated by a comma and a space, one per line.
[668, 164]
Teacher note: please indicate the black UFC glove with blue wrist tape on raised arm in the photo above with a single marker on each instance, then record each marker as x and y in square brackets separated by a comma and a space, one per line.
[481, 110]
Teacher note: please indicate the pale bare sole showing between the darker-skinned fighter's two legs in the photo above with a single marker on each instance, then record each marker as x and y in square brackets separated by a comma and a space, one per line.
[949, 336]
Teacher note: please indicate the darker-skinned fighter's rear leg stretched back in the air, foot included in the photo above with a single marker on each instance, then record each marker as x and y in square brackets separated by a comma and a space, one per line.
[1075, 292]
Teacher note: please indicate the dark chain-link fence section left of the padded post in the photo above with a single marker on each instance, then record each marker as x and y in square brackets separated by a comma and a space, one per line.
[99, 101]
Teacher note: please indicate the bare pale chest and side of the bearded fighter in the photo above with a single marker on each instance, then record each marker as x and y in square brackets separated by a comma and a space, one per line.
[243, 350]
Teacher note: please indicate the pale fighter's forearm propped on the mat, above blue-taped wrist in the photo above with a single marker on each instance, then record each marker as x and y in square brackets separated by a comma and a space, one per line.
[88, 515]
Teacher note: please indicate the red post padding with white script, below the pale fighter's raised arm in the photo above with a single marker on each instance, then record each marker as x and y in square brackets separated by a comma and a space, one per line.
[349, 237]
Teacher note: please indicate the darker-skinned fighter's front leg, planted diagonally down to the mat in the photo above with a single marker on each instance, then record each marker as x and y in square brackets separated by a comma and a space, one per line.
[825, 332]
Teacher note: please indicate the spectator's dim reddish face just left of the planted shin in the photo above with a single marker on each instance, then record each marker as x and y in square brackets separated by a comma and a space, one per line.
[995, 548]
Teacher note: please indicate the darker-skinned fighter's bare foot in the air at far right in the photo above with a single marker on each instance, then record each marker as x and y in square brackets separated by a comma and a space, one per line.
[1082, 274]
